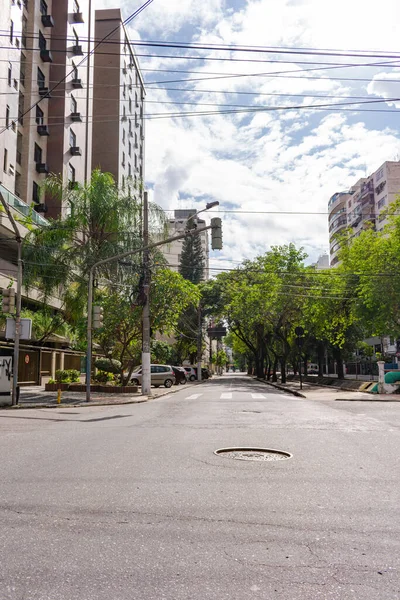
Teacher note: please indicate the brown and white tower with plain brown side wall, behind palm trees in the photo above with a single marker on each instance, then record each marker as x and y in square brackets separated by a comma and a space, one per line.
[118, 102]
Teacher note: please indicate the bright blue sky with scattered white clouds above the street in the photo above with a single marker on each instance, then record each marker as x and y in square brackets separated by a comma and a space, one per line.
[289, 159]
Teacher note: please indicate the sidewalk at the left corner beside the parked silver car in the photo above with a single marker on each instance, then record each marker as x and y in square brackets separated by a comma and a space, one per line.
[36, 397]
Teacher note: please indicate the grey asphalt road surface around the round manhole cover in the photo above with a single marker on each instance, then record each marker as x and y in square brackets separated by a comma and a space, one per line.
[130, 502]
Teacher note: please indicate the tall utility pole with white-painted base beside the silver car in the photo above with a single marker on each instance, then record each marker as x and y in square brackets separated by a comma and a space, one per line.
[146, 370]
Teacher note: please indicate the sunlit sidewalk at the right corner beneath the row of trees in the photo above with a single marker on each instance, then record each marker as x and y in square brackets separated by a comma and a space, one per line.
[315, 392]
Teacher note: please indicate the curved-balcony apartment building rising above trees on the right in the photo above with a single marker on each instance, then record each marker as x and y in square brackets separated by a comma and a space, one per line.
[362, 206]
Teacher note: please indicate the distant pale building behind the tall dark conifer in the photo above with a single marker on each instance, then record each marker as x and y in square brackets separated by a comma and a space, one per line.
[172, 252]
